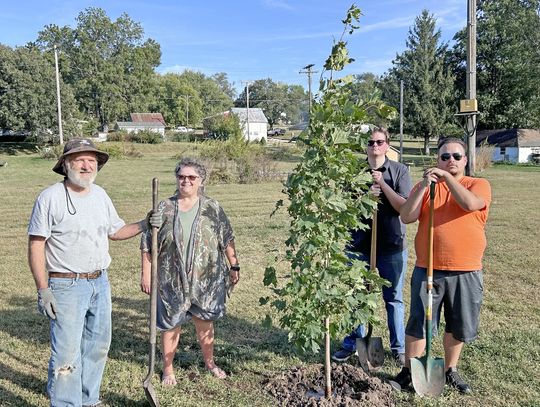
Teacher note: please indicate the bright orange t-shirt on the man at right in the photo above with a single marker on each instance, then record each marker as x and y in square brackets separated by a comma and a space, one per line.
[459, 240]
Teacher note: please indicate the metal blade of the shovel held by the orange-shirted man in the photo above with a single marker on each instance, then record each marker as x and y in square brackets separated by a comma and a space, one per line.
[428, 376]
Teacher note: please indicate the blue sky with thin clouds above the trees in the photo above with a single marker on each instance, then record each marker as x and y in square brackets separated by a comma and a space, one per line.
[248, 39]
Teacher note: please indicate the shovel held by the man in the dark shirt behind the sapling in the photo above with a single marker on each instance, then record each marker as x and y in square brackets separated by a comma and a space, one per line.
[369, 349]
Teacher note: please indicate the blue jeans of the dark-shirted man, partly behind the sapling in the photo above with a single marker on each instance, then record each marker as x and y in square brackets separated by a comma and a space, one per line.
[393, 268]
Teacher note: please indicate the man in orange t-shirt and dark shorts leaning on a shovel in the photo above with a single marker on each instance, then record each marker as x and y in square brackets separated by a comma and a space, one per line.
[461, 211]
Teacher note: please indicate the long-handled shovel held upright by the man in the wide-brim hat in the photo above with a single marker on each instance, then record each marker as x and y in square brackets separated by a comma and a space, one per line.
[149, 391]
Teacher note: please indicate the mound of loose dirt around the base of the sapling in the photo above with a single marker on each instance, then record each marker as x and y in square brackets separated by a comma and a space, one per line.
[351, 386]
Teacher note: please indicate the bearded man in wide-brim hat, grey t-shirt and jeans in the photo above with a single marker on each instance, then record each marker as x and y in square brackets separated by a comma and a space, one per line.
[68, 252]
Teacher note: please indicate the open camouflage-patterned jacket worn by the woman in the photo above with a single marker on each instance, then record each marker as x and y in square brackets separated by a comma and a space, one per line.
[198, 283]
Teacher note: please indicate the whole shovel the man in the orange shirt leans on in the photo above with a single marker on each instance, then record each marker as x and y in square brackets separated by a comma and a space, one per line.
[428, 373]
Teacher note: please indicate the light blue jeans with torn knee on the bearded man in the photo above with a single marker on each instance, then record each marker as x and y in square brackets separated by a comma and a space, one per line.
[80, 340]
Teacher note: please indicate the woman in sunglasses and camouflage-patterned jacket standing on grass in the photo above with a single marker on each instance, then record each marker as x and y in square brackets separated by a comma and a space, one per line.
[193, 276]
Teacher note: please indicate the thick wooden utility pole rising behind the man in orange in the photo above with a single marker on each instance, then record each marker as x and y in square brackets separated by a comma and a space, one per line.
[471, 84]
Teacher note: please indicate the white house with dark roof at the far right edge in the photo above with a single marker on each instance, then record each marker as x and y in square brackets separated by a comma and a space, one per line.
[512, 145]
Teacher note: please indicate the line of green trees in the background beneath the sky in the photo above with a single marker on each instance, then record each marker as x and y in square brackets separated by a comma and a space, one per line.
[108, 71]
